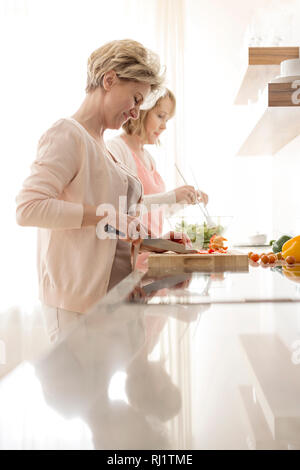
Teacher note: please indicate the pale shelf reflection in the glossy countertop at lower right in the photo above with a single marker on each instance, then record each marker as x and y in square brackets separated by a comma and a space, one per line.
[277, 384]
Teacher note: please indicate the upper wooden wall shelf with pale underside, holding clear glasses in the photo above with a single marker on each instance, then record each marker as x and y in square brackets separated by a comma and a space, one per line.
[263, 65]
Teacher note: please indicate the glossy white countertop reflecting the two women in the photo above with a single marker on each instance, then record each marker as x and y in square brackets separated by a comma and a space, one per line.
[205, 362]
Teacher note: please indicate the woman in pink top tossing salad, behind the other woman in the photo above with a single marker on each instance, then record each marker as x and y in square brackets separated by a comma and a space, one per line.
[129, 148]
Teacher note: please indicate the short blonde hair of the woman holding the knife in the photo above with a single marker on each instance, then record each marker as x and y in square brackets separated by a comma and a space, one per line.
[129, 59]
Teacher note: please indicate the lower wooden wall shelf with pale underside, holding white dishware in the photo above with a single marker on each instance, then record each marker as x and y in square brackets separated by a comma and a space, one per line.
[277, 121]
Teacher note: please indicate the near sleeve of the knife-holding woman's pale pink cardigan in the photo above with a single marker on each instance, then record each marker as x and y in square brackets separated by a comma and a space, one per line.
[39, 203]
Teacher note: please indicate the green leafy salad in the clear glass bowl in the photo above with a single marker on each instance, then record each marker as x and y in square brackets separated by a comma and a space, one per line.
[199, 234]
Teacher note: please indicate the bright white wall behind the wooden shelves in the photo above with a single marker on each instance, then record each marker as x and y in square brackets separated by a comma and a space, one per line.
[217, 37]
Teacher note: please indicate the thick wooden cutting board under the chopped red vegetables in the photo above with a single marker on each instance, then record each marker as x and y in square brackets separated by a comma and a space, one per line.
[233, 260]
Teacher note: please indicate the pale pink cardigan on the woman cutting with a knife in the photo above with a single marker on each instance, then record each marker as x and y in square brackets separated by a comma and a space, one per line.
[71, 169]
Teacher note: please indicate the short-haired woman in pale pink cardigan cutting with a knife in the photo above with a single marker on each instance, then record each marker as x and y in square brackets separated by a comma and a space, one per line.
[73, 174]
